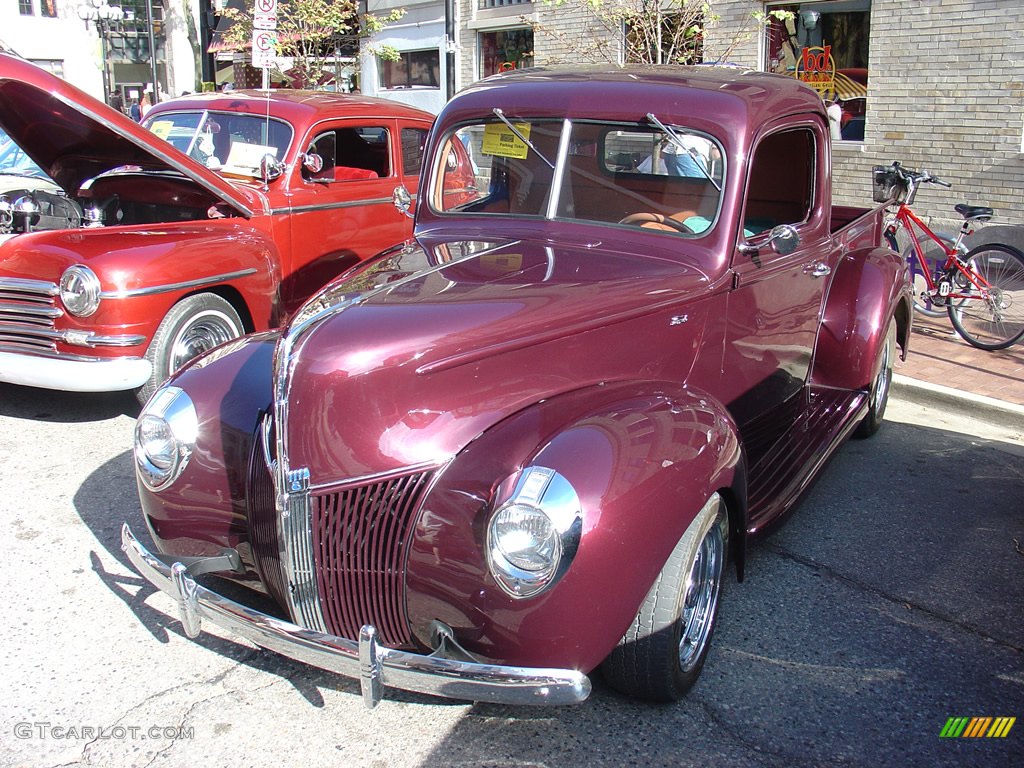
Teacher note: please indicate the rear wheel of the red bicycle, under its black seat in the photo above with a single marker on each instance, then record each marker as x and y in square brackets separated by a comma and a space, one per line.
[994, 318]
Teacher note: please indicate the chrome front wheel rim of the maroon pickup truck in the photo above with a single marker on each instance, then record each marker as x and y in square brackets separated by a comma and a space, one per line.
[702, 599]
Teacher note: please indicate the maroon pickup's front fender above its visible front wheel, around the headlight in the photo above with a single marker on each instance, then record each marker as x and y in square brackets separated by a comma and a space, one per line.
[644, 459]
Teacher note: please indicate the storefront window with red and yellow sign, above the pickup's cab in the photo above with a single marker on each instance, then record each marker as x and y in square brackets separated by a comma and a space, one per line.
[826, 46]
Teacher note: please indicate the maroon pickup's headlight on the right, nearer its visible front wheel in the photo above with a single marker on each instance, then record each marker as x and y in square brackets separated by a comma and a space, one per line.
[534, 535]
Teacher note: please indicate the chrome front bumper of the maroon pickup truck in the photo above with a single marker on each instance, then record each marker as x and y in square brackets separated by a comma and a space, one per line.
[374, 665]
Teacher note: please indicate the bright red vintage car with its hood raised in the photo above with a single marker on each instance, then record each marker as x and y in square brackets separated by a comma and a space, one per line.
[147, 252]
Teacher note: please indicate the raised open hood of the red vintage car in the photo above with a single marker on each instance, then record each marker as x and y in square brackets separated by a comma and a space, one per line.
[74, 138]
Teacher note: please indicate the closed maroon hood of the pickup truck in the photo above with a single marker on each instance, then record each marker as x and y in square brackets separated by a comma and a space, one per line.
[406, 361]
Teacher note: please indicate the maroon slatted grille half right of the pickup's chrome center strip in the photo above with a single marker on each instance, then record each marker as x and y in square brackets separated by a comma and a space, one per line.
[361, 538]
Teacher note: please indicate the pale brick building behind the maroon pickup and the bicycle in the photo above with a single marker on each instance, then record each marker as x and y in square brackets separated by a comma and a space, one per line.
[935, 84]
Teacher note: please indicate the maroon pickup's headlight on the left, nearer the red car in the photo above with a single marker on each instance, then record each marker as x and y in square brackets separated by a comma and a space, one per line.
[165, 438]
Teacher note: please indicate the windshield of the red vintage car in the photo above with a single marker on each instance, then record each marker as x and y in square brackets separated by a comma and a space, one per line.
[228, 143]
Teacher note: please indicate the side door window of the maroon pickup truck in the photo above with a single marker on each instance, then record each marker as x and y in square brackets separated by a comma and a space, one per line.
[782, 184]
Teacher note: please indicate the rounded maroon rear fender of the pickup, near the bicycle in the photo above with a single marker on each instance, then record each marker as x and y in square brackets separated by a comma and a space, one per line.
[869, 288]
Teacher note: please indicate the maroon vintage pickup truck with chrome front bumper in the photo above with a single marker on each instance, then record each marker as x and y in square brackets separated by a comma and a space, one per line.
[525, 447]
